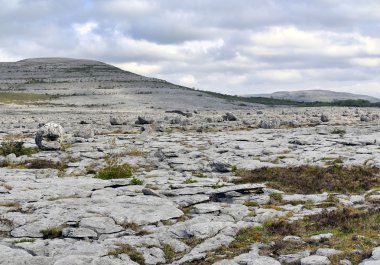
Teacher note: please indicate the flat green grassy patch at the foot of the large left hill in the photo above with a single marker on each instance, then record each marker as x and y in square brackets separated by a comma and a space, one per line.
[23, 98]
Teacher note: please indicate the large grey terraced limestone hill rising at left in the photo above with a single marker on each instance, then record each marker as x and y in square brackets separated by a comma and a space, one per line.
[87, 83]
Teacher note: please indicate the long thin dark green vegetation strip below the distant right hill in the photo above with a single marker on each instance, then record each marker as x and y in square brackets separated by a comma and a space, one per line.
[286, 102]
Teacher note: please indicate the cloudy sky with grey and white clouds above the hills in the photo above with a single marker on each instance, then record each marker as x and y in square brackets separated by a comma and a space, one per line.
[229, 46]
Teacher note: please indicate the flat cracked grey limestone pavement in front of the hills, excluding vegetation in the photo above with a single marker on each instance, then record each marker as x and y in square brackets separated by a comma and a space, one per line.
[182, 205]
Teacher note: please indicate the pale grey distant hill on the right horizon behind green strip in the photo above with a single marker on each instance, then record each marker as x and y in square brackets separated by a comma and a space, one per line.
[315, 95]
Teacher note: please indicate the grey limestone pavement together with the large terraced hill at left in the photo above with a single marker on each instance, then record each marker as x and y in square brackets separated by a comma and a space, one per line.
[200, 180]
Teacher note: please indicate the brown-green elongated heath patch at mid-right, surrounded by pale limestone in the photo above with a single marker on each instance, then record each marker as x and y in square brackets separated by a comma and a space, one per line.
[312, 179]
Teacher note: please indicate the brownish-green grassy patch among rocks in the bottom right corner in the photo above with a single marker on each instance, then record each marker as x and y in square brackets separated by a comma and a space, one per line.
[345, 224]
